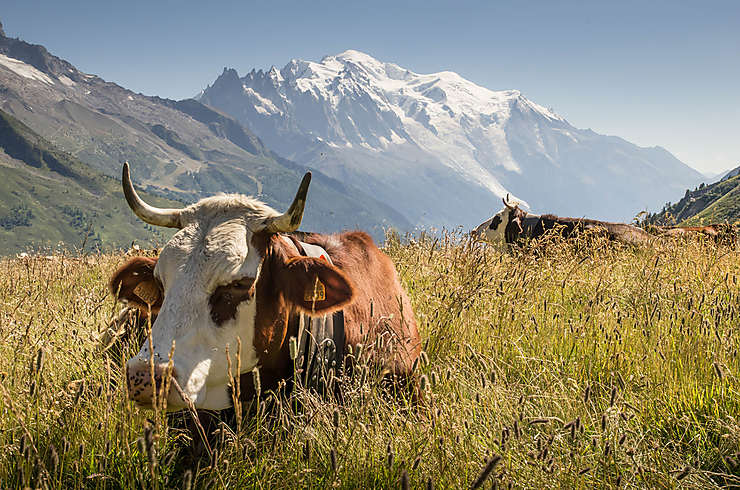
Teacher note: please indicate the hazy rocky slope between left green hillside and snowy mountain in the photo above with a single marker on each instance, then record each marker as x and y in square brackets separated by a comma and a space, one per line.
[182, 150]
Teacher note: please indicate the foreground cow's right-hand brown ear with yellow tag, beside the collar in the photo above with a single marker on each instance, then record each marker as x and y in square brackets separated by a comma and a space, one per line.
[315, 286]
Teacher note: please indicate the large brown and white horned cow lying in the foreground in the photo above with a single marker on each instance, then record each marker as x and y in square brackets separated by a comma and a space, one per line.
[231, 273]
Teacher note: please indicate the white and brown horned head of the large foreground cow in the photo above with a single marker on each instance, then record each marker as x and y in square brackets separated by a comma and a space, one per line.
[227, 274]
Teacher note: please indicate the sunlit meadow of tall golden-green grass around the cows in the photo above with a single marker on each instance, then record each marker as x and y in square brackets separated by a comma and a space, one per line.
[556, 365]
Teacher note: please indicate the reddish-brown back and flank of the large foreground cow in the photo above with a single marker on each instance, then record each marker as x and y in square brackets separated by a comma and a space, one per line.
[381, 306]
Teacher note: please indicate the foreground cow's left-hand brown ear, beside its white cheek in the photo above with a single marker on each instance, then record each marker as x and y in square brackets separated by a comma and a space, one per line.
[134, 283]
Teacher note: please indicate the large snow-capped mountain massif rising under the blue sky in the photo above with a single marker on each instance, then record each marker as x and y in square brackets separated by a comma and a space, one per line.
[441, 149]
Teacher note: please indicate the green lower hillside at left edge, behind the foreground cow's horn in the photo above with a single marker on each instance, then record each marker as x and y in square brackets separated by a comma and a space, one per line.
[48, 197]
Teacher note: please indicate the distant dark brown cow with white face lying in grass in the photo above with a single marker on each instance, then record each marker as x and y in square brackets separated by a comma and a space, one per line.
[513, 223]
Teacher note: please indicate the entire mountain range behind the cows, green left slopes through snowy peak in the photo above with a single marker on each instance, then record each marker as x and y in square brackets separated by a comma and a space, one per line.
[388, 148]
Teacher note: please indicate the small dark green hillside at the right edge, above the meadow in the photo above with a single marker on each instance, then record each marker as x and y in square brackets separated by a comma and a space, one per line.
[714, 203]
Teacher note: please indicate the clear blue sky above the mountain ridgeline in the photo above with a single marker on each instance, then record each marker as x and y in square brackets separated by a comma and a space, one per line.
[654, 72]
